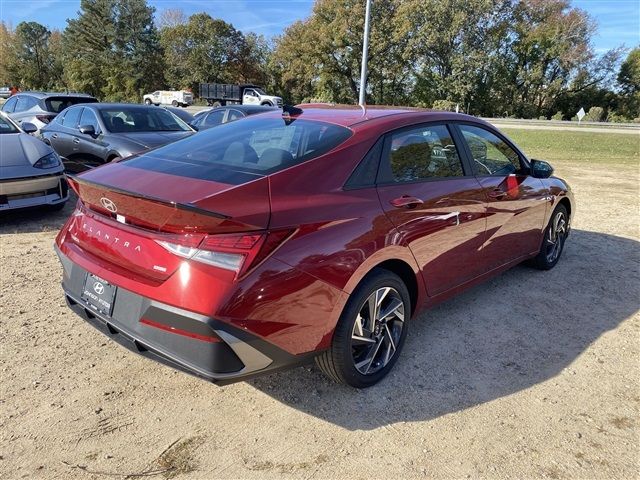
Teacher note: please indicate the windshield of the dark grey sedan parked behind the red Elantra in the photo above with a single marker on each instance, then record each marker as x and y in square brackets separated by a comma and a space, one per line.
[127, 120]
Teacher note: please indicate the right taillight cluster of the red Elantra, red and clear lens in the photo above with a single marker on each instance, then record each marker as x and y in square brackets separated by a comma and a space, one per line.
[236, 252]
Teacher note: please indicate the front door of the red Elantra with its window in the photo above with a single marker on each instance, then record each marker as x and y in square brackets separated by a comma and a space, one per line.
[516, 202]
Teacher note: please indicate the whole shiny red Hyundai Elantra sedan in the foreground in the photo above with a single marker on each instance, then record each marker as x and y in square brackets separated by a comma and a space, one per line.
[313, 232]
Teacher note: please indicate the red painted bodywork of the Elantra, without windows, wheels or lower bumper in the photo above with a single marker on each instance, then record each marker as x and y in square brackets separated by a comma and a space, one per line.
[293, 295]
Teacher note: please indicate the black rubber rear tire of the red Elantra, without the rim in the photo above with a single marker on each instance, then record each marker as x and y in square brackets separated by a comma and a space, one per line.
[341, 347]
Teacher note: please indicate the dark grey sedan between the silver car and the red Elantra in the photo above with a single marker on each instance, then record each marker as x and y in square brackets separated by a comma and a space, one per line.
[95, 133]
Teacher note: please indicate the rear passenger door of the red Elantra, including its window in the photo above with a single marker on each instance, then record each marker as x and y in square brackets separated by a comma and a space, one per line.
[430, 194]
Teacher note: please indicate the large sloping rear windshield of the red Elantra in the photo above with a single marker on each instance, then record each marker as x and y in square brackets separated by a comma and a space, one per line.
[238, 151]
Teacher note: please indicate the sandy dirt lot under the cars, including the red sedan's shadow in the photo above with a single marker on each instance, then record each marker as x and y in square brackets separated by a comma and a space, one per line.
[531, 375]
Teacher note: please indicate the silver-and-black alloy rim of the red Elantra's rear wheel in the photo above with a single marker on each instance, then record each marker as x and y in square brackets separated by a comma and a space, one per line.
[377, 330]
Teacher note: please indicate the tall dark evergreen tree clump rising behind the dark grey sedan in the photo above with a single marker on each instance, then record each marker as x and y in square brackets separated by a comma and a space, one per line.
[113, 49]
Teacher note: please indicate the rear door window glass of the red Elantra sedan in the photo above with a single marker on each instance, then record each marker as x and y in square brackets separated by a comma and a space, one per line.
[423, 153]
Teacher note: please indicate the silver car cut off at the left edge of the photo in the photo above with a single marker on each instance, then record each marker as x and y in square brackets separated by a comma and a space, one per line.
[31, 173]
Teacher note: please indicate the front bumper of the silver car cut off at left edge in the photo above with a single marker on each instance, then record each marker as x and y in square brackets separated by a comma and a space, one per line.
[34, 191]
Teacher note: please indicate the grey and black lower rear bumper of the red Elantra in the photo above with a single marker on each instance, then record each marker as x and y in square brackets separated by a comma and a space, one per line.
[231, 355]
